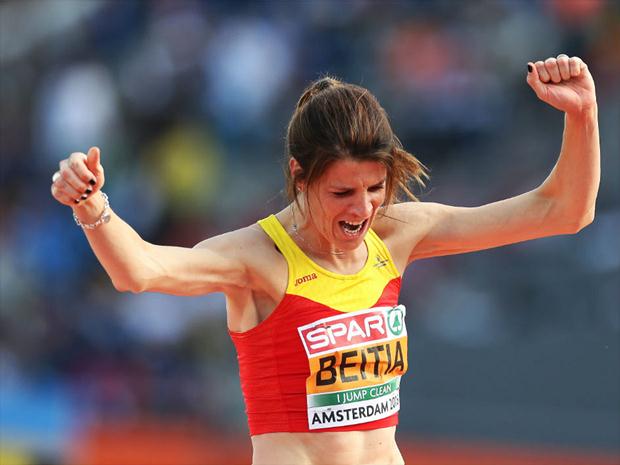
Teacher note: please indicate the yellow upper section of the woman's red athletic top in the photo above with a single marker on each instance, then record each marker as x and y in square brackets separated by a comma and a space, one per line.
[344, 293]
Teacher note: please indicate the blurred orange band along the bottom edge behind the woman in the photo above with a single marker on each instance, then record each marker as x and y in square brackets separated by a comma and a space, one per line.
[159, 443]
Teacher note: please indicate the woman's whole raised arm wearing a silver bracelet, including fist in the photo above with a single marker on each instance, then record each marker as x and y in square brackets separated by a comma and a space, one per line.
[134, 264]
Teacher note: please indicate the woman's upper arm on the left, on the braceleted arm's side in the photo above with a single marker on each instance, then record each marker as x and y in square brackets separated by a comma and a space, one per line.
[214, 265]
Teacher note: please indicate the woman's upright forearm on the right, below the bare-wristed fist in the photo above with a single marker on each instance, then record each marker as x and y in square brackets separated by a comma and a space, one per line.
[573, 183]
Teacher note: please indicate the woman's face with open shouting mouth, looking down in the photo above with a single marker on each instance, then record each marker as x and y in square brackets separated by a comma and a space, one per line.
[344, 202]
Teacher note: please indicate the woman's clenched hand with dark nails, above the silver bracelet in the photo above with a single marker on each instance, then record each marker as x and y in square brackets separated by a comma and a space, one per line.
[79, 177]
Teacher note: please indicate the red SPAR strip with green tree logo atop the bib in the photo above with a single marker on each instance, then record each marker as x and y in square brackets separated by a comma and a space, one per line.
[353, 329]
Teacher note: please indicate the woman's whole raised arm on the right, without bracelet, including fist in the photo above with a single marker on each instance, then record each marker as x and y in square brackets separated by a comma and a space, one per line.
[564, 203]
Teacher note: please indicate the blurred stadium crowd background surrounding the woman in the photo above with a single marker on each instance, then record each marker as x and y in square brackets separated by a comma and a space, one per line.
[514, 351]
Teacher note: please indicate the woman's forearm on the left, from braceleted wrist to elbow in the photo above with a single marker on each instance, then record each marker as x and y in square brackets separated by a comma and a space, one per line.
[119, 249]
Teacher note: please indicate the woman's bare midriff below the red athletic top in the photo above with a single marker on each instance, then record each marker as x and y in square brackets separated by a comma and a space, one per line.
[374, 447]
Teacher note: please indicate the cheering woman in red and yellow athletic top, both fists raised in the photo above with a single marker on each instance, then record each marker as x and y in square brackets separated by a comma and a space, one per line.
[312, 292]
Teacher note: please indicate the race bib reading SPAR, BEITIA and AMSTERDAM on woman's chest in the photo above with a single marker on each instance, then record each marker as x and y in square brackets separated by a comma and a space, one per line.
[356, 360]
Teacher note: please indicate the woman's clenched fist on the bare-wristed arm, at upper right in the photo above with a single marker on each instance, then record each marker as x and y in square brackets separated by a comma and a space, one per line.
[564, 83]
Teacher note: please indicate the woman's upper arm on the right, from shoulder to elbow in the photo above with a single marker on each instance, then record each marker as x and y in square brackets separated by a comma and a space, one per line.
[423, 229]
